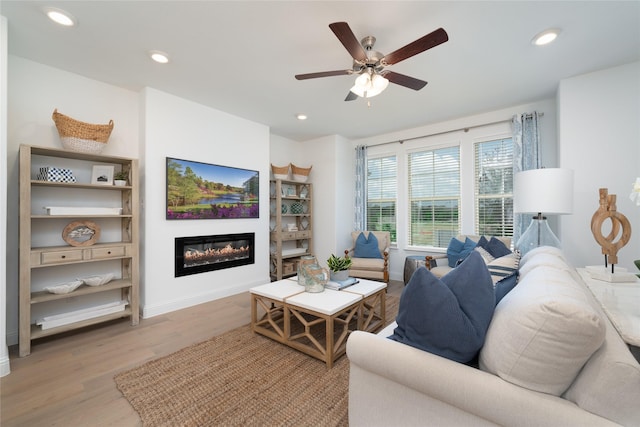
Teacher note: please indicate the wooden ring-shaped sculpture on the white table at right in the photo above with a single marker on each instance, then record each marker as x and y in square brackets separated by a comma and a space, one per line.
[608, 211]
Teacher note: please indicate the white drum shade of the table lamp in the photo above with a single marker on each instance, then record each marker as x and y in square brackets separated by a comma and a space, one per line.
[547, 191]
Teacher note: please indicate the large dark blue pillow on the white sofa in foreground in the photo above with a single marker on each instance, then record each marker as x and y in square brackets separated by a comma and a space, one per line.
[448, 316]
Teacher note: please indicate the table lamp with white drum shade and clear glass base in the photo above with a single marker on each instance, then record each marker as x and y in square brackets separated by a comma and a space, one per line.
[547, 191]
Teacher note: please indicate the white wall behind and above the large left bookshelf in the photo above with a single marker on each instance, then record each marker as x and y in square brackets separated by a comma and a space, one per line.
[34, 91]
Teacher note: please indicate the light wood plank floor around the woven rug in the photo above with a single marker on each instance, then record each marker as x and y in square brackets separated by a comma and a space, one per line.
[68, 380]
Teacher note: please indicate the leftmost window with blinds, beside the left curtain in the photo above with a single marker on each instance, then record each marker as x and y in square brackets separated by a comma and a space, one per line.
[382, 189]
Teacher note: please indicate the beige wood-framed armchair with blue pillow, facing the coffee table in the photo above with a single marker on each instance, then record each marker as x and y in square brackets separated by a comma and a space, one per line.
[369, 261]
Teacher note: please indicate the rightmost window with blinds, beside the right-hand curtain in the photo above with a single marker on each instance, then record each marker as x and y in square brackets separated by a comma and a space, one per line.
[494, 187]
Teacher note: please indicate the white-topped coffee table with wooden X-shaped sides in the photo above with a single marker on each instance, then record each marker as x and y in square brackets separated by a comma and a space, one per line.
[284, 312]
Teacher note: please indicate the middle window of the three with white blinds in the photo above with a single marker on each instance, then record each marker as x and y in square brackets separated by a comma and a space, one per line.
[434, 196]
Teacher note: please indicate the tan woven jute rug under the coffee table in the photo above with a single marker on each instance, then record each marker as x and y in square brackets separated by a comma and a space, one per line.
[240, 379]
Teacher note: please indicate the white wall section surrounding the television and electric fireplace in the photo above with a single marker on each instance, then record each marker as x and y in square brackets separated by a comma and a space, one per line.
[174, 127]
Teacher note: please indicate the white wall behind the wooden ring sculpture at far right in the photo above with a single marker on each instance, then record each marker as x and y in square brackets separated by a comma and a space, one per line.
[599, 137]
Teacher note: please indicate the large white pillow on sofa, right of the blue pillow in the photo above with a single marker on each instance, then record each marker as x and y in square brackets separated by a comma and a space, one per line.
[542, 333]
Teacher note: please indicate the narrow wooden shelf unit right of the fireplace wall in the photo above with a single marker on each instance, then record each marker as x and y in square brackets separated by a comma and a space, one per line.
[291, 202]
